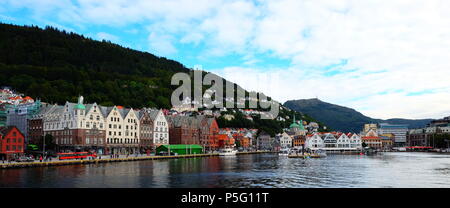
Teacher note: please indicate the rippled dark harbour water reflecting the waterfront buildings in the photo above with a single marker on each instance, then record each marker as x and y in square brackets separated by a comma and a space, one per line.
[259, 170]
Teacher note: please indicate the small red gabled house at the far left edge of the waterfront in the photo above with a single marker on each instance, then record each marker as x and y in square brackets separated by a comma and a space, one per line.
[12, 142]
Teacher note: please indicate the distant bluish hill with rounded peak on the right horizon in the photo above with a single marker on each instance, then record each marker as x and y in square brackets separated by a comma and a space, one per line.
[342, 118]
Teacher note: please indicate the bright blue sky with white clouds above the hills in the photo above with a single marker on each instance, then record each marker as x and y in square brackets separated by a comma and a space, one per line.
[386, 59]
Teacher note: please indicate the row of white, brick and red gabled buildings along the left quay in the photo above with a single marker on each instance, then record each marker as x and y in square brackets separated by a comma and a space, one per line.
[113, 129]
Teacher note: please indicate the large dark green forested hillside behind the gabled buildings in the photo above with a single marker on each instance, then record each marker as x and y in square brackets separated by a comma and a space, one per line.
[57, 66]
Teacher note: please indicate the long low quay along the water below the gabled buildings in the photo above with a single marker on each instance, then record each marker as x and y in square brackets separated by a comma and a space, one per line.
[107, 160]
